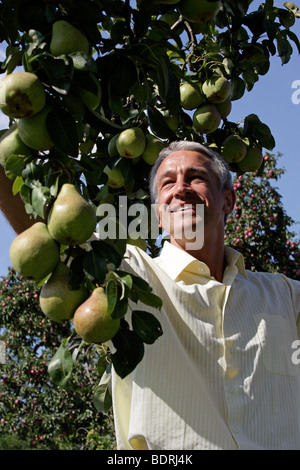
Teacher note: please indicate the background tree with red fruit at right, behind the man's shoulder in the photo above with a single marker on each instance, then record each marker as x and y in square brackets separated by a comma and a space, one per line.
[260, 227]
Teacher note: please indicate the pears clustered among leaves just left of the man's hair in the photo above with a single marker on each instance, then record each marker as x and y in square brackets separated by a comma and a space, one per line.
[131, 143]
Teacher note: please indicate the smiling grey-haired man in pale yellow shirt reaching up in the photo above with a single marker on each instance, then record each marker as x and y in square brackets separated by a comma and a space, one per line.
[222, 375]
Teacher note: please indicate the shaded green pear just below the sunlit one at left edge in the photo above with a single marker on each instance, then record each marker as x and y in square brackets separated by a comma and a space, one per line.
[33, 131]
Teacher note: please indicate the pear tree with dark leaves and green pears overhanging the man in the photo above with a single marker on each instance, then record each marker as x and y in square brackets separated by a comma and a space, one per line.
[104, 76]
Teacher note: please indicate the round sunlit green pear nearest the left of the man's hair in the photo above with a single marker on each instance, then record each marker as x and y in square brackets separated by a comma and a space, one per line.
[131, 142]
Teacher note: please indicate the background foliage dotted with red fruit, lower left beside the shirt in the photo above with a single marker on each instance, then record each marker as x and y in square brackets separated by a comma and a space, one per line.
[34, 412]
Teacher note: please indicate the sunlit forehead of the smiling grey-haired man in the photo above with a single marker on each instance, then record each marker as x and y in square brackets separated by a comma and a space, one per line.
[182, 161]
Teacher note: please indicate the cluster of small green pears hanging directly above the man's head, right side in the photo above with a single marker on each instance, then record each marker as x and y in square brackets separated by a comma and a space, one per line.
[210, 101]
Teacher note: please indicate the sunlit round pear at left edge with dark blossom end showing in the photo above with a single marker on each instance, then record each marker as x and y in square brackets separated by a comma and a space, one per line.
[21, 95]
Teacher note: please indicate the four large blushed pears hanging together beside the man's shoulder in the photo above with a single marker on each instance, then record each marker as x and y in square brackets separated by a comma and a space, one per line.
[35, 254]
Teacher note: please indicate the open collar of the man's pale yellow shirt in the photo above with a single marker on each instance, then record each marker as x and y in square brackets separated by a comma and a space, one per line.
[176, 261]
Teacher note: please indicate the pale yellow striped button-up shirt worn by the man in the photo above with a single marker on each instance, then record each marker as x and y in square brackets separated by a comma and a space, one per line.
[221, 376]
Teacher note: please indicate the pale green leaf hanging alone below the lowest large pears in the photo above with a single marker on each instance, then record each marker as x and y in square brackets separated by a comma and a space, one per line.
[60, 367]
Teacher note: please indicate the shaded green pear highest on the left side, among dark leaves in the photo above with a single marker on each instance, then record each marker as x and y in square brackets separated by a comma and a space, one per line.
[67, 39]
